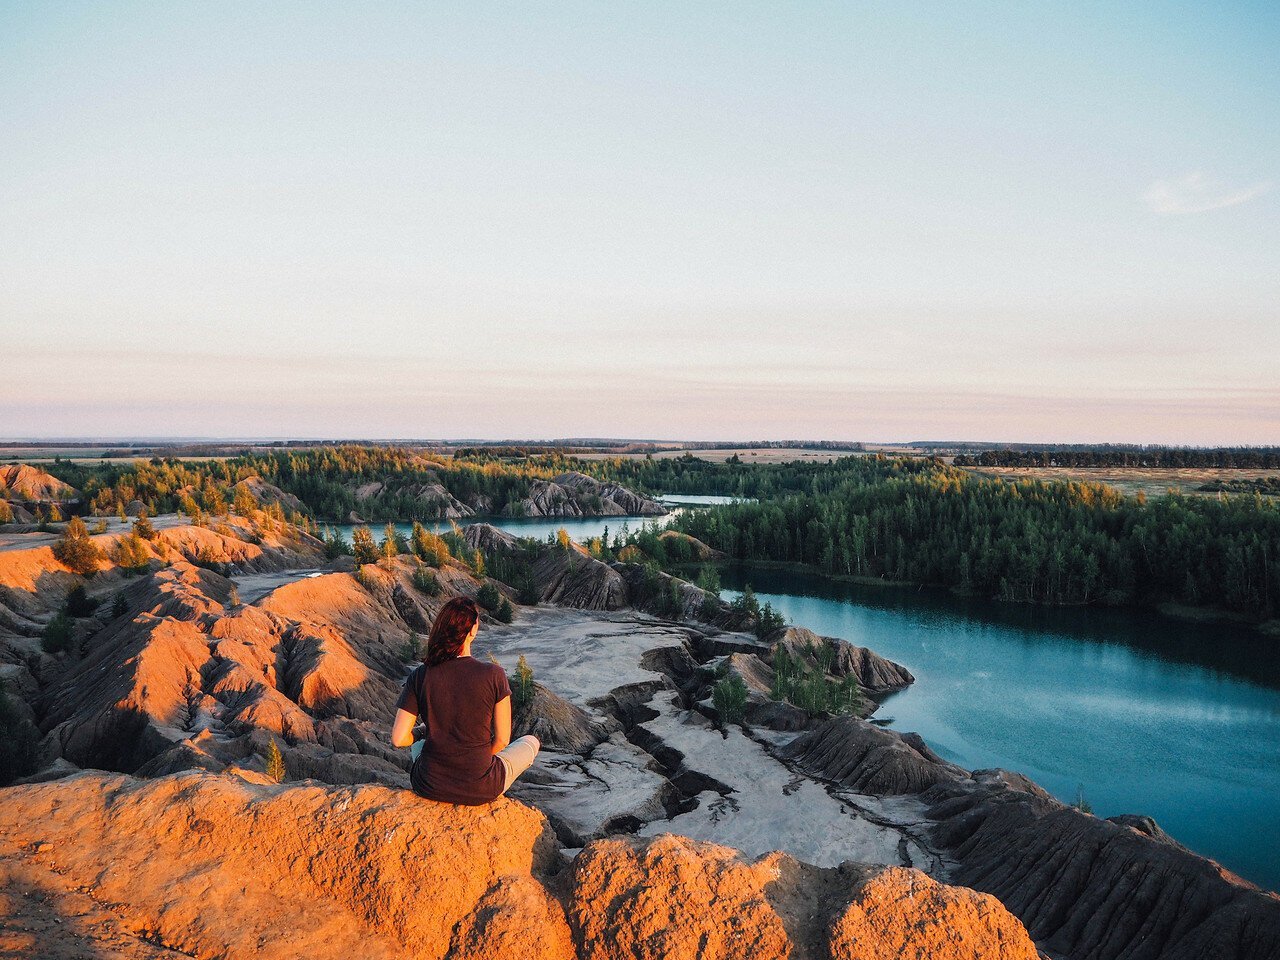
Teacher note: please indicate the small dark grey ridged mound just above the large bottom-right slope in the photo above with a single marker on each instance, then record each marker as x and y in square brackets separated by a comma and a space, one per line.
[868, 760]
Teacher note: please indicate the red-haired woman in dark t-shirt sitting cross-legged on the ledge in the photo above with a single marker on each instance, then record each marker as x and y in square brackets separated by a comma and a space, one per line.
[467, 756]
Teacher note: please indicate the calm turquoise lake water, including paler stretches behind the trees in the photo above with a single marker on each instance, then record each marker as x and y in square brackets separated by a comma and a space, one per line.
[1144, 715]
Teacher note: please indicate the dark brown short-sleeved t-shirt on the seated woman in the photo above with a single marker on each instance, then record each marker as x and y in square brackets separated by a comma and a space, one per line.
[456, 702]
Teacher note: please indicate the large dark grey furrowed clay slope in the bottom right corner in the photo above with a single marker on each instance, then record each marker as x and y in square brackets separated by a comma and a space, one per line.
[1091, 888]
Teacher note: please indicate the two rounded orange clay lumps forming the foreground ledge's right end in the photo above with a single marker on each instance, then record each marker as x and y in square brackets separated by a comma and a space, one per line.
[678, 899]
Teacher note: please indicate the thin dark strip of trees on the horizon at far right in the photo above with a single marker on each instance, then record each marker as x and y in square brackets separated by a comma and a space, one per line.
[1188, 458]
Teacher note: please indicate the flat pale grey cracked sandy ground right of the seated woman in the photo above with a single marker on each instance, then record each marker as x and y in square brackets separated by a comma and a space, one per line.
[584, 656]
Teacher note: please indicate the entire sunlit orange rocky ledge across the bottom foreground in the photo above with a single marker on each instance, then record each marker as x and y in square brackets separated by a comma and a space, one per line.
[209, 866]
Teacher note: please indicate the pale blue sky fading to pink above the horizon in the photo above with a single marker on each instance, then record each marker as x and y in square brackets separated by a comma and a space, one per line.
[1023, 222]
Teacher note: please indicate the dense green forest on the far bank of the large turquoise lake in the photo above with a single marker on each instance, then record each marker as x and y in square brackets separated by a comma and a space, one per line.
[1058, 543]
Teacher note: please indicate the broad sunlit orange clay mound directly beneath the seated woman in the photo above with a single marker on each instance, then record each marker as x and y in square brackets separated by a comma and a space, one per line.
[212, 866]
